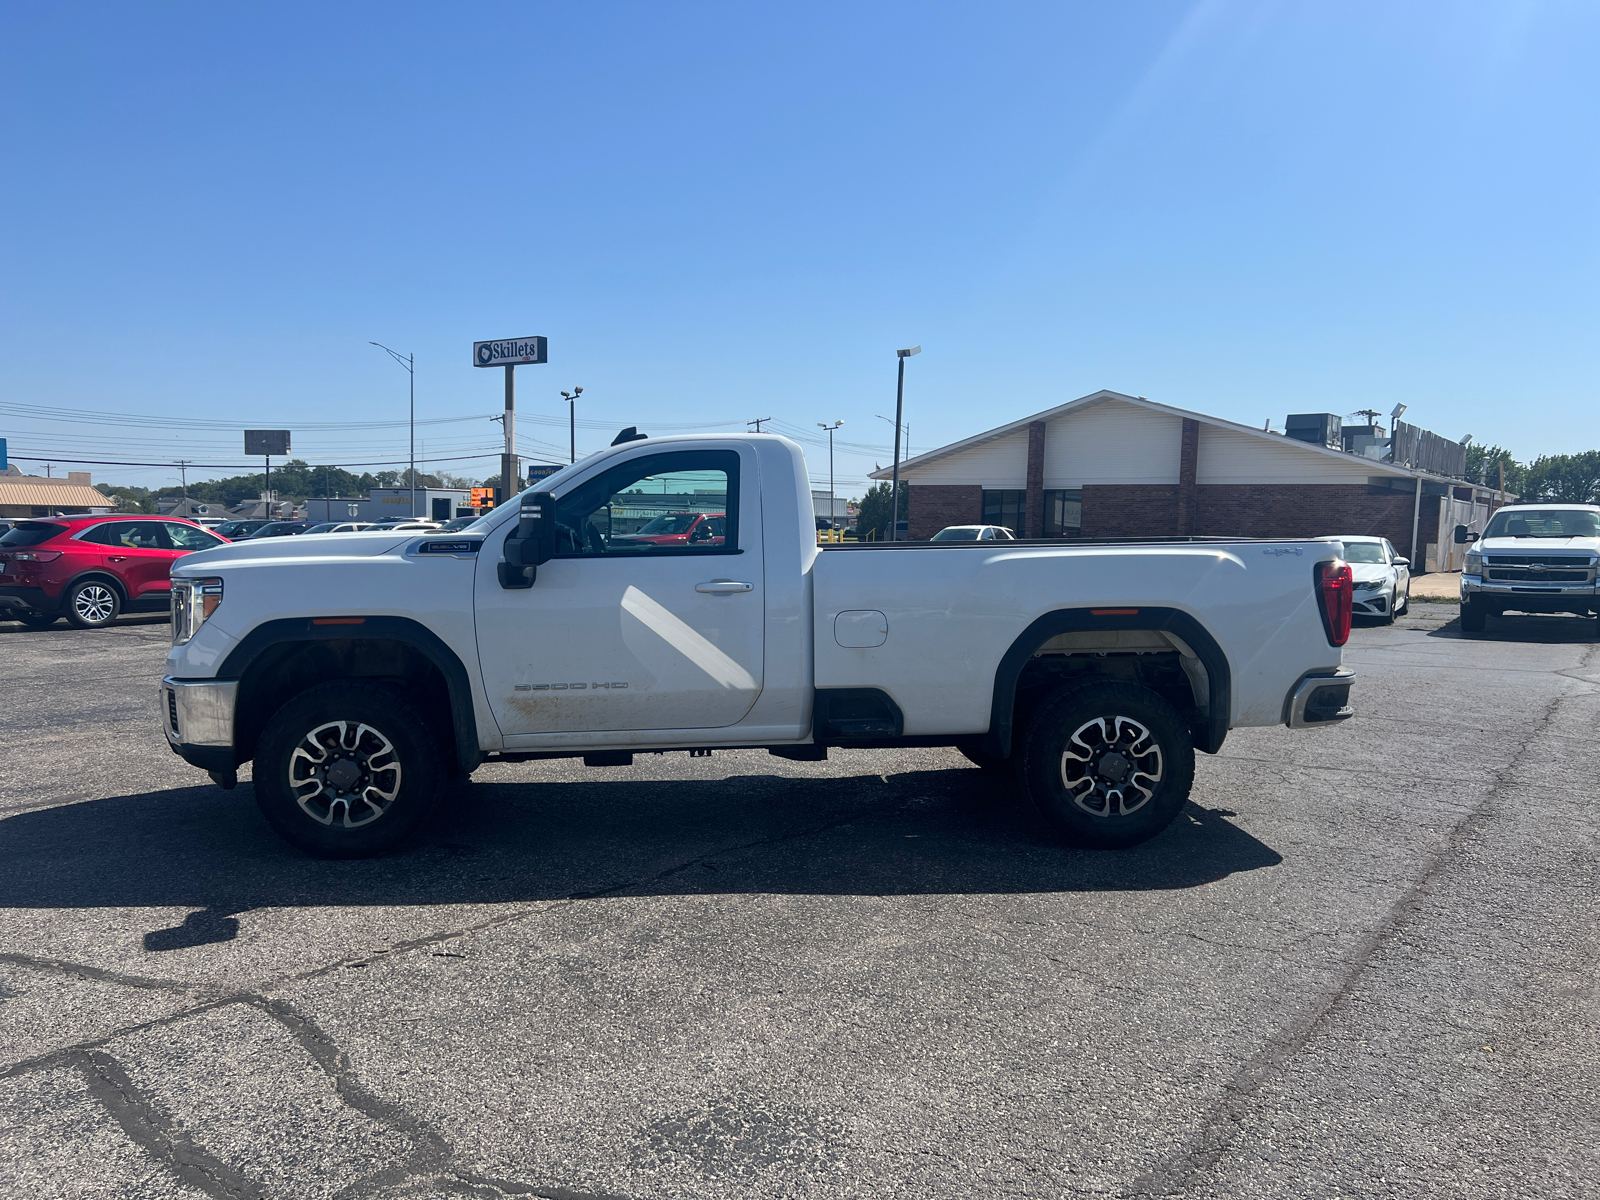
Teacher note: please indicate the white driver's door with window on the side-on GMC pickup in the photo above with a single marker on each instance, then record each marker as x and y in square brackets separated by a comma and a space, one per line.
[631, 636]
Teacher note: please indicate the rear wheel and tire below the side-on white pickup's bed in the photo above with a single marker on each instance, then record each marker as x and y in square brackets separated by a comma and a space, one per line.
[1110, 766]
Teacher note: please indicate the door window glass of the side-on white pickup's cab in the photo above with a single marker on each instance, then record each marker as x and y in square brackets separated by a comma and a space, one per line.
[657, 505]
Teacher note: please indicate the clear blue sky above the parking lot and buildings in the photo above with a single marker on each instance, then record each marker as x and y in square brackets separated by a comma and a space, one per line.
[727, 212]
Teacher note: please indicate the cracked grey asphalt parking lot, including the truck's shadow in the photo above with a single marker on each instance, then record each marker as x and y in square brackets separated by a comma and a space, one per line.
[1362, 964]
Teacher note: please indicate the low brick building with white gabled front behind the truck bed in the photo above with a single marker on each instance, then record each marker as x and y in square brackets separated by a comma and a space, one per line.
[1119, 466]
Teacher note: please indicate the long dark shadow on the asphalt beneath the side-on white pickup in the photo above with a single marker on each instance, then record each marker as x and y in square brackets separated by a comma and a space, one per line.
[513, 842]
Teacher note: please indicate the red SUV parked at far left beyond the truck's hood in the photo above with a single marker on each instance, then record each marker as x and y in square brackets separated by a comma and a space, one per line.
[92, 569]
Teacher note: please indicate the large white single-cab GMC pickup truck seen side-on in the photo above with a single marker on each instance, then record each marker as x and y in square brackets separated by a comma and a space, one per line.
[361, 673]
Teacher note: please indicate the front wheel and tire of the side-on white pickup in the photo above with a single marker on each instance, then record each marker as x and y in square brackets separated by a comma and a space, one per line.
[348, 770]
